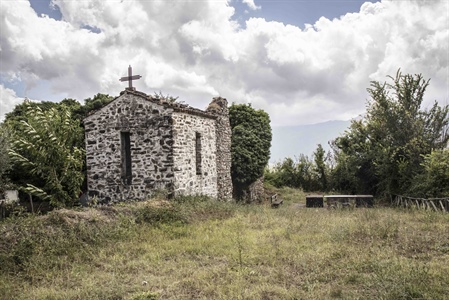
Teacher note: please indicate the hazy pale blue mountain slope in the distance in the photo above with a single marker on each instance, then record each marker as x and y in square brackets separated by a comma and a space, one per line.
[291, 141]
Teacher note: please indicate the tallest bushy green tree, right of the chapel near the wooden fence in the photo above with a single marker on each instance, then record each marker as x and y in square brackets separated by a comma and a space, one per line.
[383, 152]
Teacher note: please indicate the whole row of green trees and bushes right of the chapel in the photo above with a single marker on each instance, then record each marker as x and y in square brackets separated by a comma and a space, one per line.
[397, 147]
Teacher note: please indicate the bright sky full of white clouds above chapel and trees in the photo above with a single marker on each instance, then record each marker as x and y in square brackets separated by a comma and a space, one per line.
[303, 62]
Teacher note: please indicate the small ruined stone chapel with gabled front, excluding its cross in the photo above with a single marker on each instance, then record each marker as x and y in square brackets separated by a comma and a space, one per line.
[139, 144]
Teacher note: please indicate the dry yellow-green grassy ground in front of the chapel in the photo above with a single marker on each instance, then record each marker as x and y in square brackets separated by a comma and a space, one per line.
[200, 249]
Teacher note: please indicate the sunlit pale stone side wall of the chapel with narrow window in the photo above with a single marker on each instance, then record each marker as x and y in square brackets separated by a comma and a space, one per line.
[194, 177]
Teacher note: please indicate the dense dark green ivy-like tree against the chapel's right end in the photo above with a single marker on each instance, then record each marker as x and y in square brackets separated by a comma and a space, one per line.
[250, 147]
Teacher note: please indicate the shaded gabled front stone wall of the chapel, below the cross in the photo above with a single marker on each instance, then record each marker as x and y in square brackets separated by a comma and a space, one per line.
[149, 125]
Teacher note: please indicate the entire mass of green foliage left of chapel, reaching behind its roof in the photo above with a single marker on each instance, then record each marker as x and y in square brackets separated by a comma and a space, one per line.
[61, 134]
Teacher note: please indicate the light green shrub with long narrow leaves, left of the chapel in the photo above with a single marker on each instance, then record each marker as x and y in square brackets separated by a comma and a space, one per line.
[46, 155]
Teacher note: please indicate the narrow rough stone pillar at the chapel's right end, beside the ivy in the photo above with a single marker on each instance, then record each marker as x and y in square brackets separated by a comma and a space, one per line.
[219, 107]
